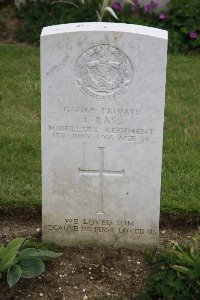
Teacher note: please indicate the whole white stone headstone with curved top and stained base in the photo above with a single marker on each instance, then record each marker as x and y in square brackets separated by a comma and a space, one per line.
[103, 91]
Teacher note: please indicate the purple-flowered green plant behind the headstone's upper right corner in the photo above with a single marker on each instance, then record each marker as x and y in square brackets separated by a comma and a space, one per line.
[182, 20]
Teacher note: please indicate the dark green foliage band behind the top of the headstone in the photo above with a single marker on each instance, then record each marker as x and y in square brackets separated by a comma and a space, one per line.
[182, 17]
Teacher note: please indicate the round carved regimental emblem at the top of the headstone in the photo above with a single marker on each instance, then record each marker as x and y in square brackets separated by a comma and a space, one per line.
[104, 72]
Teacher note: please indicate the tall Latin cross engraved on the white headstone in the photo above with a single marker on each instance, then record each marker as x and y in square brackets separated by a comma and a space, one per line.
[101, 173]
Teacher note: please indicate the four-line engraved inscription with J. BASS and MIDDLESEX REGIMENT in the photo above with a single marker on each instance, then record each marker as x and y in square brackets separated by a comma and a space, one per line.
[104, 124]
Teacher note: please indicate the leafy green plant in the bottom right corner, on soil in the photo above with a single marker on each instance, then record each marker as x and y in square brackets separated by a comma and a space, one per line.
[176, 274]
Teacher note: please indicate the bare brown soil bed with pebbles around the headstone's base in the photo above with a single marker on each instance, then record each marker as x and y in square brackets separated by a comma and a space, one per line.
[83, 273]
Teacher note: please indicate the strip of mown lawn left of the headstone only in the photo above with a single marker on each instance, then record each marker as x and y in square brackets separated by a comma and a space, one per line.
[20, 170]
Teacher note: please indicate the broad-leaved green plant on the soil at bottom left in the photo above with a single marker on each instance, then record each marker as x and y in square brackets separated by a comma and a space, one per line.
[18, 260]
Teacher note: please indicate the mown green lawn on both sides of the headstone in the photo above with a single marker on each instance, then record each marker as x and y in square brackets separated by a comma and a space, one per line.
[20, 169]
